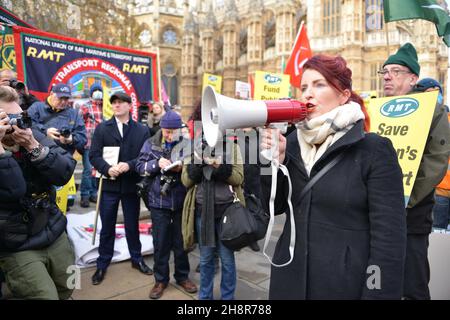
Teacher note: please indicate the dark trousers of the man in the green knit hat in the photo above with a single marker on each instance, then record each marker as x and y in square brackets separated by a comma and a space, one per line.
[417, 268]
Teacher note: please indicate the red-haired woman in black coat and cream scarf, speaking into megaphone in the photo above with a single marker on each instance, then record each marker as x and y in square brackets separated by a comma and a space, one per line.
[350, 226]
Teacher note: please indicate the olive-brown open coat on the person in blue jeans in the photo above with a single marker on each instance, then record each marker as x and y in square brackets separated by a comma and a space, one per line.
[236, 180]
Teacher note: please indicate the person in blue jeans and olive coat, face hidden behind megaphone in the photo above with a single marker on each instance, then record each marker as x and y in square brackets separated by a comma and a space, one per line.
[211, 176]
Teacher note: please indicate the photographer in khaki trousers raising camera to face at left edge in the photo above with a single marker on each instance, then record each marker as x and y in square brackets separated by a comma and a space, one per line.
[34, 249]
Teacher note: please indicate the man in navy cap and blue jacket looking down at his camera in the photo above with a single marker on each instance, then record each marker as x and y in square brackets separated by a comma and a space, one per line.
[58, 120]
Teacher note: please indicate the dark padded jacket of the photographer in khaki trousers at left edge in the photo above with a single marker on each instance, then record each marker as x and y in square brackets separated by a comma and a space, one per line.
[19, 179]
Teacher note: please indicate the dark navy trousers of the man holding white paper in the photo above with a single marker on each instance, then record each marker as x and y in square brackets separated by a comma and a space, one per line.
[109, 205]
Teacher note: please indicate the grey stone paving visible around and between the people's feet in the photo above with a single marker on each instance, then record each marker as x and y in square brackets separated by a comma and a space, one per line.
[122, 282]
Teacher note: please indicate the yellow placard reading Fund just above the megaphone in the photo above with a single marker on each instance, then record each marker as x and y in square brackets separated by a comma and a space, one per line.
[271, 86]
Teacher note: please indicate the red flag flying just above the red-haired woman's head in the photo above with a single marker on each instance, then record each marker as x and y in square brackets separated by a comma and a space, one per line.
[300, 53]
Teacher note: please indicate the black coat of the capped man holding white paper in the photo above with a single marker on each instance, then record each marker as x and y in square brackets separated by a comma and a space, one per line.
[107, 135]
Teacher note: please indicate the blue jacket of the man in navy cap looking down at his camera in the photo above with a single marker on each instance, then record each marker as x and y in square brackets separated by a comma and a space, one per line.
[45, 117]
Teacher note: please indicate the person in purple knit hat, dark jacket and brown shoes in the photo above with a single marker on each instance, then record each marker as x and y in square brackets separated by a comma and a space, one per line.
[166, 195]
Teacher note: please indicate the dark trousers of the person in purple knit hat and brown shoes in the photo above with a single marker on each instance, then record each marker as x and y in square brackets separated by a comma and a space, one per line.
[167, 237]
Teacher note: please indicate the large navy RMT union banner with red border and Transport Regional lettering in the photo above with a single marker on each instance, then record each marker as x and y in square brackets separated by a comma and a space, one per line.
[44, 59]
